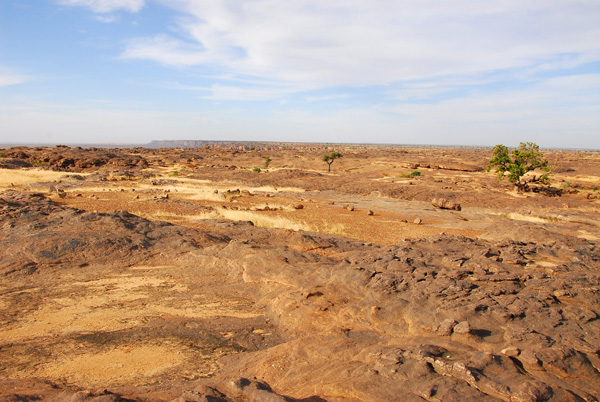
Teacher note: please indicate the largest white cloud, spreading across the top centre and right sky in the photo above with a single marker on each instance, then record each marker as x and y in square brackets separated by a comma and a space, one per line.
[314, 44]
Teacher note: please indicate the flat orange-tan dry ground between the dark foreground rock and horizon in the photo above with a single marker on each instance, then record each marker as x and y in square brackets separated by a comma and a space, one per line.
[366, 179]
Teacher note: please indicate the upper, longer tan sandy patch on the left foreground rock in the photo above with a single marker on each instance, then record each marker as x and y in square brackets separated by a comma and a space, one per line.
[114, 304]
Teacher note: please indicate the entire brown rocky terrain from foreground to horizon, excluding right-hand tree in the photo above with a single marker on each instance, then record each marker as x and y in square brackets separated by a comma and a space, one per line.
[189, 275]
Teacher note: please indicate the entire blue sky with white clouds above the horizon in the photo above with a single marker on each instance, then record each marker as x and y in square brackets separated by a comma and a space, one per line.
[439, 72]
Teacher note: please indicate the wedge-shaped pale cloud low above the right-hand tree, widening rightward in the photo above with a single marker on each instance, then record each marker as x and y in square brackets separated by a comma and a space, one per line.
[563, 111]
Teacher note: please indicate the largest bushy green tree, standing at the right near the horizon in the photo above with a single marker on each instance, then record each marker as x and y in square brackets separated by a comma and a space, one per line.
[520, 161]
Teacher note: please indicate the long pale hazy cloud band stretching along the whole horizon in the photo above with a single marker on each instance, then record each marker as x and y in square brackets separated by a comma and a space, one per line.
[508, 116]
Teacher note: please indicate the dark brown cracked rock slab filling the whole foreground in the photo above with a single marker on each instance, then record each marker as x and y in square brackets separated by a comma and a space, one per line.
[238, 312]
